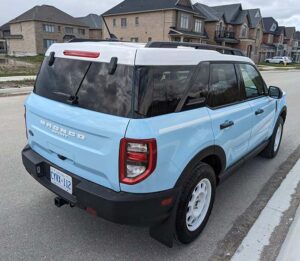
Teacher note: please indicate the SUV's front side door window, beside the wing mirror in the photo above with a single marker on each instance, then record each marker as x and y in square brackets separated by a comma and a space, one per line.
[253, 83]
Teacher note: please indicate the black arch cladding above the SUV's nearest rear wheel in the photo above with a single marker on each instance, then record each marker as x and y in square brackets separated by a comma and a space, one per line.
[213, 156]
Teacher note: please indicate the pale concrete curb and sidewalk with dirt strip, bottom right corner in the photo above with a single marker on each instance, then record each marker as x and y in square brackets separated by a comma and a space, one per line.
[258, 243]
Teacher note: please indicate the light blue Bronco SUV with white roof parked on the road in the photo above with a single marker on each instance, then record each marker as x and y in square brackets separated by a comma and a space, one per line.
[143, 134]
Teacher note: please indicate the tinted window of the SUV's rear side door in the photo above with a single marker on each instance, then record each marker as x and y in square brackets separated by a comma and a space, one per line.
[224, 88]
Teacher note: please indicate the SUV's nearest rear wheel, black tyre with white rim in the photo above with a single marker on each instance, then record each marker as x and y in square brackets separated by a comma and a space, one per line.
[195, 203]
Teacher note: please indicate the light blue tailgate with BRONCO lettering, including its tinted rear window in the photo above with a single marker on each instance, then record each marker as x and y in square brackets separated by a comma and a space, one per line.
[78, 115]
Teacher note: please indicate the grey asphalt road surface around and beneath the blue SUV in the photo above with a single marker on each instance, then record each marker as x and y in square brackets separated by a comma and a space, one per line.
[32, 228]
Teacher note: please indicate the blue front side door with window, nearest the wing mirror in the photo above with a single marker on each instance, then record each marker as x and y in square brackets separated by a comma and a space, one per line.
[263, 106]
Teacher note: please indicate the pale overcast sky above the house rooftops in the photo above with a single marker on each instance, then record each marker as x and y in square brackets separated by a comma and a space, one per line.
[286, 12]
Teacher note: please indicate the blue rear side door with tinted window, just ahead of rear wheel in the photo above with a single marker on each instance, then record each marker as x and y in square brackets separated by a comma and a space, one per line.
[231, 117]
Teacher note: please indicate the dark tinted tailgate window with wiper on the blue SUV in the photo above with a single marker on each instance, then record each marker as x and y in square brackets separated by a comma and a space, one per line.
[95, 88]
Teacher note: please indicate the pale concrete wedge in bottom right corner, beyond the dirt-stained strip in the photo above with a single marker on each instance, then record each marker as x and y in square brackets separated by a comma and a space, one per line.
[290, 250]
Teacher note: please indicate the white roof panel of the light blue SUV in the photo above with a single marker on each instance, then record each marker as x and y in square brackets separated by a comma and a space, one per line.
[138, 54]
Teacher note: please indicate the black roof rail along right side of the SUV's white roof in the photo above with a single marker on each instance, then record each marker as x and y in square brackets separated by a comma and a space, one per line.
[218, 48]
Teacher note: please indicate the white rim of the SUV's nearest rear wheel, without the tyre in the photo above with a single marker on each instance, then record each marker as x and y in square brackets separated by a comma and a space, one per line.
[198, 205]
